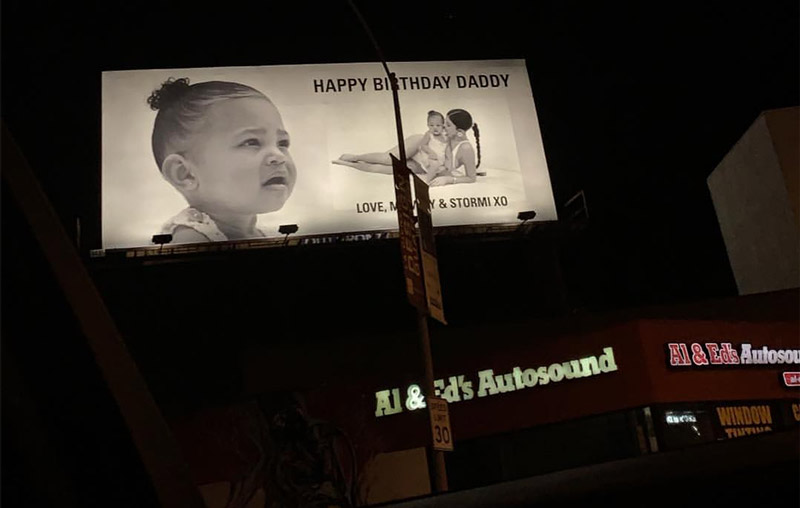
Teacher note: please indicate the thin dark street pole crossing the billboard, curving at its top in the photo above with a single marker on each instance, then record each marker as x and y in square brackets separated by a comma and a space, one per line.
[437, 466]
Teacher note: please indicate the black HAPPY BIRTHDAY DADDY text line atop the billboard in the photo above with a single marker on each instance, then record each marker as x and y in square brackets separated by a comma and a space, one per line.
[339, 85]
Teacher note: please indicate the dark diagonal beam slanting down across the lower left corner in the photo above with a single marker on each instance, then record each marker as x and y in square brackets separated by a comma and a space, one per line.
[161, 458]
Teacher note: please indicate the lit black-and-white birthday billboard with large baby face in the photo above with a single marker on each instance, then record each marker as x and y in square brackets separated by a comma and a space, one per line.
[230, 153]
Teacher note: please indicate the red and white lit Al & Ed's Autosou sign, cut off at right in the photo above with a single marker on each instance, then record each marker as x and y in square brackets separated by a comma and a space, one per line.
[702, 354]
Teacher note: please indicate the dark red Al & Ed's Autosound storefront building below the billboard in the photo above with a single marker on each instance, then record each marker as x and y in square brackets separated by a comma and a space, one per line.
[532, 397]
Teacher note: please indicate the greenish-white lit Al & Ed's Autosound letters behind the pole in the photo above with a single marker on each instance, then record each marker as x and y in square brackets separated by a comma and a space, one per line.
[458, 388]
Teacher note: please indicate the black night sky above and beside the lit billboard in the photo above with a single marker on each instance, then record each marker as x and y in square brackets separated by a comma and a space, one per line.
[637, 102]
